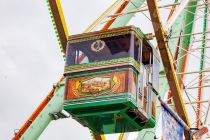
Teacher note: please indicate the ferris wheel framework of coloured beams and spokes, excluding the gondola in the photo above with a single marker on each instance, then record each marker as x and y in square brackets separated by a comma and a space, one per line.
[185, 29]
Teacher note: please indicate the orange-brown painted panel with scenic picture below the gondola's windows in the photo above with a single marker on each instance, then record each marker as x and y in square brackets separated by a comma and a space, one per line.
[101, 84]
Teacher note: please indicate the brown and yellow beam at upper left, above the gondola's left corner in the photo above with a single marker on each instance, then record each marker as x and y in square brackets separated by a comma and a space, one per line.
[59, 21]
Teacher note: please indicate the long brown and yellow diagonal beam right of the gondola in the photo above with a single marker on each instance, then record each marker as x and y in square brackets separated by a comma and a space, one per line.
[168, 64]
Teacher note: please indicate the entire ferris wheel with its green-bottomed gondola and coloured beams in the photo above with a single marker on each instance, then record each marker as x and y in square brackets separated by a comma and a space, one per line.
[119, 77]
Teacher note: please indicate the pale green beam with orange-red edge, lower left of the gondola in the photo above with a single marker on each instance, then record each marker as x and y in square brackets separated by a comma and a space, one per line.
[41, 117]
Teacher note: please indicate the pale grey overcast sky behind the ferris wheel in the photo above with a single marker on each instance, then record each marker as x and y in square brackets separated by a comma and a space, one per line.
[31, 61]
